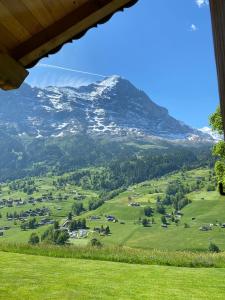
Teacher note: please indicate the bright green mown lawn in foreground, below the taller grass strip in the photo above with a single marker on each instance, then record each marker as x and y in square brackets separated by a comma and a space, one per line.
[37, 277]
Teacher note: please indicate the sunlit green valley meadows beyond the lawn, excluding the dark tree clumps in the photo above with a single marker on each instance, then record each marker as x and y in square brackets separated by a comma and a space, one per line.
[127, 208]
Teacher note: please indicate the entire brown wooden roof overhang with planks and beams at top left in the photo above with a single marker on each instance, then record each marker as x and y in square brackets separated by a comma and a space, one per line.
[32, 29]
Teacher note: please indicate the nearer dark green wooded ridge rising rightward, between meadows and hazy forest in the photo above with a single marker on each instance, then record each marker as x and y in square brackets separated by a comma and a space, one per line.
[122, 173]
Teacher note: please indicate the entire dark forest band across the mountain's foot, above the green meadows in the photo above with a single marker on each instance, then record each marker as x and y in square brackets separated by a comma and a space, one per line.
[20, 158]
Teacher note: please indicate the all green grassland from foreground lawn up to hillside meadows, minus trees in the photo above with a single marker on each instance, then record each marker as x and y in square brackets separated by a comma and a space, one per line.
[135, 262]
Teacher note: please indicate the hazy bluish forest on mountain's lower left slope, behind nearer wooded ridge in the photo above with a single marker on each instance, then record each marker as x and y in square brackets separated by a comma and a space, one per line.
[21, 158]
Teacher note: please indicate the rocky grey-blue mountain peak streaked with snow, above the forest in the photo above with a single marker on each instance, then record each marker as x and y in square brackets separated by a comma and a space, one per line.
[113, 106]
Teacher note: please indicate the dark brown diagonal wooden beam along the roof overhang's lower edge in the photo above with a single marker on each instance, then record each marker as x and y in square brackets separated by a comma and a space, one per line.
[78, 21]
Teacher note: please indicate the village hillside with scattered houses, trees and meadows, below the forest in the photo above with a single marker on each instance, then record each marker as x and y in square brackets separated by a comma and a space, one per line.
[164, 203]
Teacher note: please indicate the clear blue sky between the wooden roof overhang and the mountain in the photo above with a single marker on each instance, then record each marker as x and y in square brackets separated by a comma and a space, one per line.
[163, 47]
